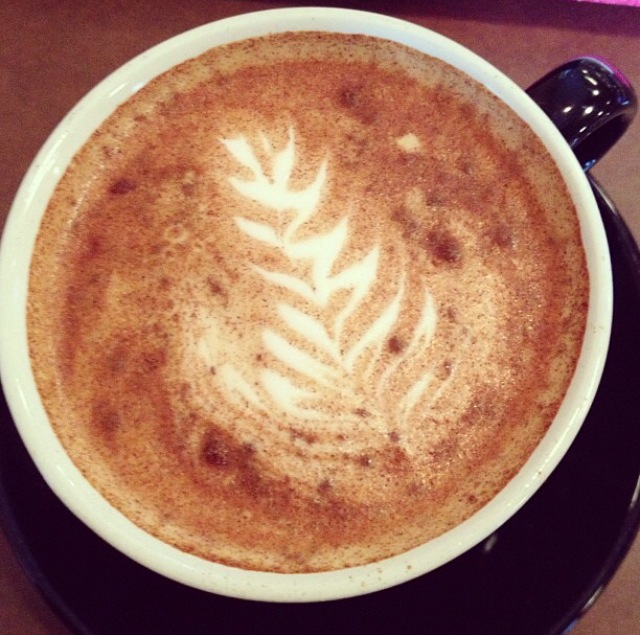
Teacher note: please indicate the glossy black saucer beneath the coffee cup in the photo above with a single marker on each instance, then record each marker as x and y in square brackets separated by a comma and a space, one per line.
[535, 576]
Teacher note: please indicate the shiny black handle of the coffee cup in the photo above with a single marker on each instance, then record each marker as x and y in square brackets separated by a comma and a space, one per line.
[590, 102]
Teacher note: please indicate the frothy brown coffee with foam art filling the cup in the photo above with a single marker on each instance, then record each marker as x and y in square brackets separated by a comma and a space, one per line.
[306, 301]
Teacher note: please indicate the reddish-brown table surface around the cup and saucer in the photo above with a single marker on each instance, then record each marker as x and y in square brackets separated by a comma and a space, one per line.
[52, 52]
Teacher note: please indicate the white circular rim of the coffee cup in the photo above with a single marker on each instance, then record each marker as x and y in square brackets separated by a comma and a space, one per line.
[65, 479]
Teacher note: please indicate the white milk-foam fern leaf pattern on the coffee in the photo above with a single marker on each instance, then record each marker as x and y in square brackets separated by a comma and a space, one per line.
[303, 374]
